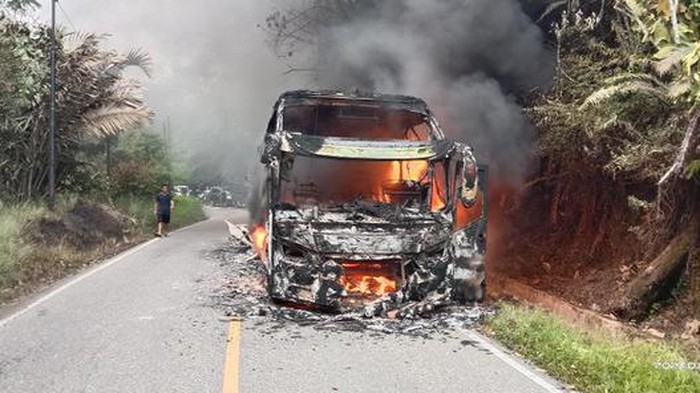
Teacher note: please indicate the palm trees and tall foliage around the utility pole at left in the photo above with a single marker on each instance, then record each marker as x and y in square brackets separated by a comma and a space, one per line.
[94, 100]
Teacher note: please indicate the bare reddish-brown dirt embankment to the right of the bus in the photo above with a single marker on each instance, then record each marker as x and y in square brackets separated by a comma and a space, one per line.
[579, 237]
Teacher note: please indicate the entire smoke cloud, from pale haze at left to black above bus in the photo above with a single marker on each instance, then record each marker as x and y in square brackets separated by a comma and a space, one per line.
[215, 79]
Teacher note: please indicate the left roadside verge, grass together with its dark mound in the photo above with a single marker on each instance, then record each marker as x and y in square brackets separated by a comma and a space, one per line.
[39, 246]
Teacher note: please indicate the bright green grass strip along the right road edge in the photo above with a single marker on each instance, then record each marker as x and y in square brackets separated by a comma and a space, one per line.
[593, 361]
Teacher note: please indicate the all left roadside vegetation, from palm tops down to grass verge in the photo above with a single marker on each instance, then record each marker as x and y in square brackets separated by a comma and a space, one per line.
[109, 164]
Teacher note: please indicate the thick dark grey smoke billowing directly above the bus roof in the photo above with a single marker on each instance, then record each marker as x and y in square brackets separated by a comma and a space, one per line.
[469, 59]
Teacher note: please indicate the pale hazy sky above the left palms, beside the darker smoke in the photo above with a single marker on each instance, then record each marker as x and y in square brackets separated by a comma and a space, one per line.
[213, 74]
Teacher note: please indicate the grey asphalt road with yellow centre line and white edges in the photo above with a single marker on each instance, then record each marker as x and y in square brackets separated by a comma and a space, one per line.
[144, 321]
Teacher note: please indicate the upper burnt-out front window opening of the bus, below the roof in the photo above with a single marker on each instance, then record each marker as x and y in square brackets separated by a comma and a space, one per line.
[357, 121]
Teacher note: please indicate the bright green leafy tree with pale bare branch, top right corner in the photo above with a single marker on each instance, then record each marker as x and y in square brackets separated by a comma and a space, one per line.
[673, 30]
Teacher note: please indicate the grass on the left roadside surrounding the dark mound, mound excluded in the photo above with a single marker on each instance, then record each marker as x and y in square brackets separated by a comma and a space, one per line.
[25, 265]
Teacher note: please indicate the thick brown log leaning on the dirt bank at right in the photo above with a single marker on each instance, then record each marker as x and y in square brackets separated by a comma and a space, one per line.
[657, 280]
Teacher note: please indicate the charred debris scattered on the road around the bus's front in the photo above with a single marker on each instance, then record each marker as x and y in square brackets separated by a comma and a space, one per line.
[244, 295]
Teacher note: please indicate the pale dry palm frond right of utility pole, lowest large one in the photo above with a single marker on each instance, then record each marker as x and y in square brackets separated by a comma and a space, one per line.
[112, 119]
